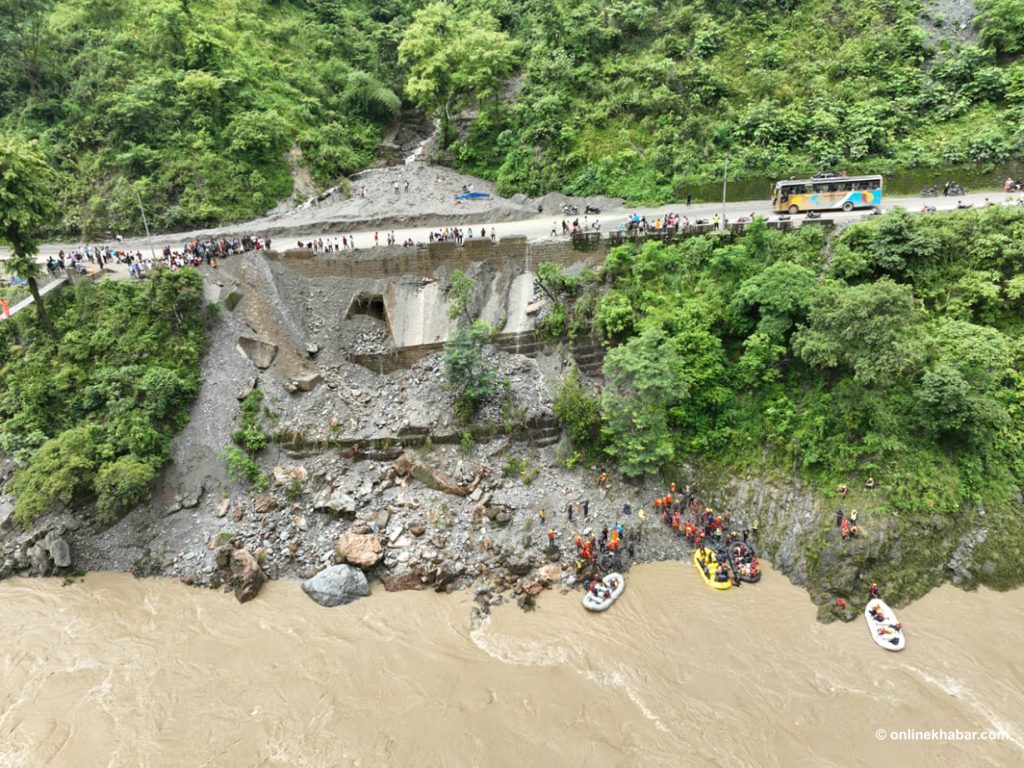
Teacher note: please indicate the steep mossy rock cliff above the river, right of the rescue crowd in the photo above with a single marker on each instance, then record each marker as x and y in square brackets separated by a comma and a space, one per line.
[907, 557]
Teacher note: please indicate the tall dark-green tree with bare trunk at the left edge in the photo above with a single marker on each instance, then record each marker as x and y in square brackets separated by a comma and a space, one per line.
[27, 206]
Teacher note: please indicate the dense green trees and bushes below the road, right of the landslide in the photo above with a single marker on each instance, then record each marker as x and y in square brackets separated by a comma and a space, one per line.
[900, 355]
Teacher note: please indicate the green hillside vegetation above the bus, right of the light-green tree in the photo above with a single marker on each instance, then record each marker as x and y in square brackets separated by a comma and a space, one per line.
[641, 99]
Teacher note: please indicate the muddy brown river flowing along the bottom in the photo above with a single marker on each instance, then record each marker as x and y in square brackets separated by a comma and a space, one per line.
[118, 672]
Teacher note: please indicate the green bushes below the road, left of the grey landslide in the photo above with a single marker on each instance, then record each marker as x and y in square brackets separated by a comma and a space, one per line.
[90, 412]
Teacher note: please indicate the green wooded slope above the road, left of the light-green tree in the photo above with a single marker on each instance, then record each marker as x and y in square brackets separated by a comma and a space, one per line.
[197, 105]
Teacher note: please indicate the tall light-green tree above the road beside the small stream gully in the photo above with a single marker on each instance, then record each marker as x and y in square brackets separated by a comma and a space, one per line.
[452, 56]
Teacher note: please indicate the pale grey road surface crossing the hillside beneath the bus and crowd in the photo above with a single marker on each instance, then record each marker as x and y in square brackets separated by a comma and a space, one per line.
[540, 228]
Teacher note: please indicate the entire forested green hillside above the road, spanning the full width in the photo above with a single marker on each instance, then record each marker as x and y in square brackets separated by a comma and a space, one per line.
[205, 109]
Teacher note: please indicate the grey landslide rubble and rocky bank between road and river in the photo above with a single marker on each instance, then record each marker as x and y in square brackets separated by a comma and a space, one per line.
[368, 468]
